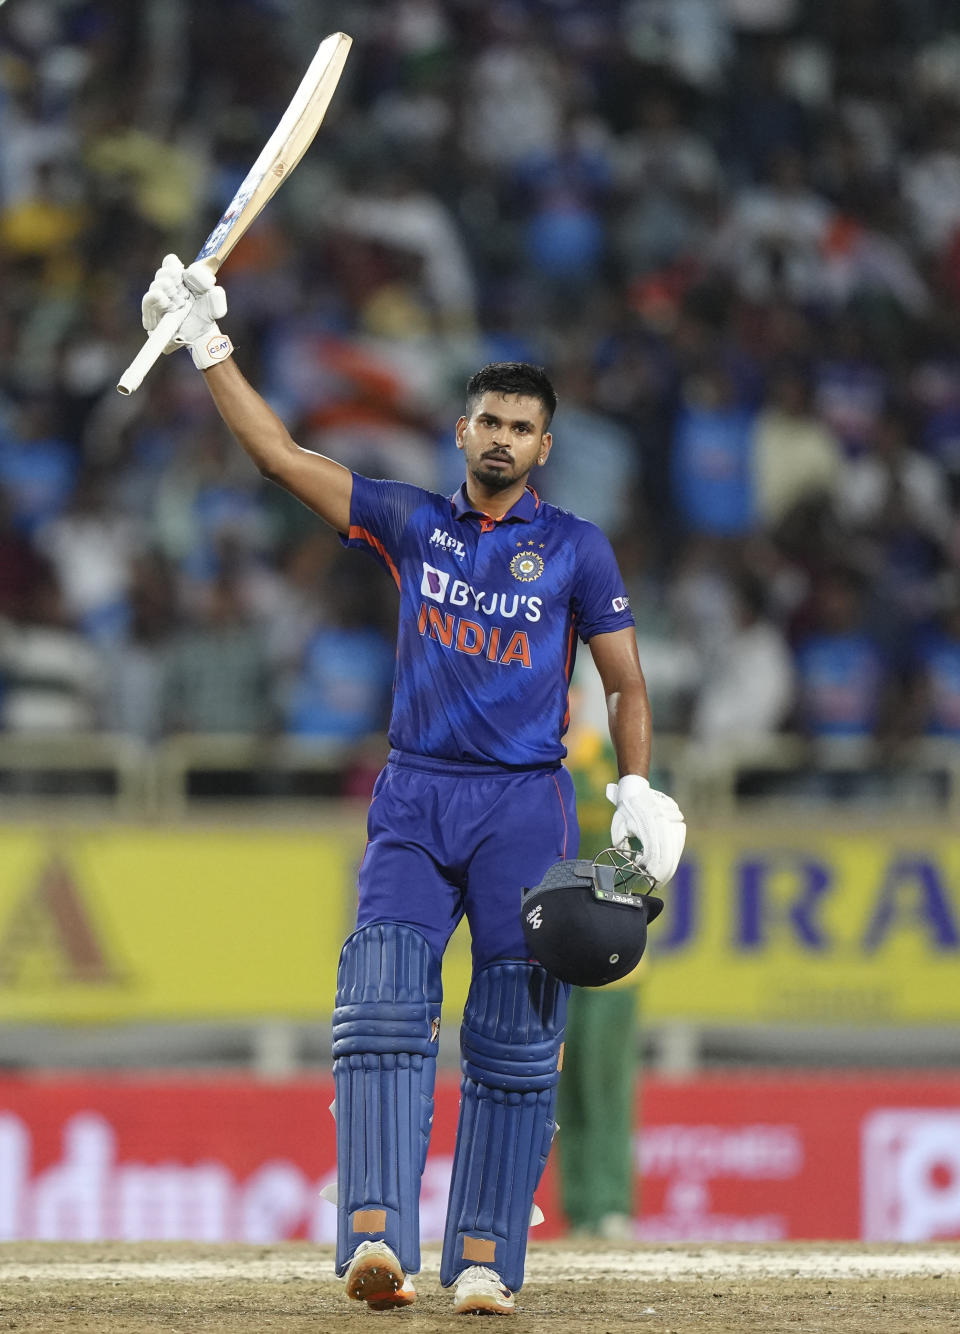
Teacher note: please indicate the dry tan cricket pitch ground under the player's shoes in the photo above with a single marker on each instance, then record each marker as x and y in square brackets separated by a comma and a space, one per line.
[571, 1289]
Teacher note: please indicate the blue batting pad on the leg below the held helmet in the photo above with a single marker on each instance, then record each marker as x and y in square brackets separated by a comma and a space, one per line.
[510, 1053]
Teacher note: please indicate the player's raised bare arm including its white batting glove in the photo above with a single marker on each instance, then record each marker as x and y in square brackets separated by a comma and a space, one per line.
[321, 484]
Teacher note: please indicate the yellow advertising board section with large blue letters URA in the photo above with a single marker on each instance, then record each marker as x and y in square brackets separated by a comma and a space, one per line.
[789, 925]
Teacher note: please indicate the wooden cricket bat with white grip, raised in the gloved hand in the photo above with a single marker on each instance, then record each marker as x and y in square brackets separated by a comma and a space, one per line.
[279, 157]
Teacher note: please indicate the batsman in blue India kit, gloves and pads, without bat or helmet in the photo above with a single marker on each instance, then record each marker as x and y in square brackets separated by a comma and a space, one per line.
[474, 804]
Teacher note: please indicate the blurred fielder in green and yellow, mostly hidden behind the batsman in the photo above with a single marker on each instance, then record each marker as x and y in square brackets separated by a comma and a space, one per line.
[597, 1095]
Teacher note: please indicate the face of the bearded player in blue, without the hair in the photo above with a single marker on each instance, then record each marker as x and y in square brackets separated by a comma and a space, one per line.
[503, 438]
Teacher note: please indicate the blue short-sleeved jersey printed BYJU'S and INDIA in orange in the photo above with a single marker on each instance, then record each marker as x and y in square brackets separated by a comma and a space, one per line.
[490, 618]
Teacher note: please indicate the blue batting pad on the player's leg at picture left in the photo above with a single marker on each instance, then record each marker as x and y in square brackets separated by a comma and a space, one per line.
[386, 1028]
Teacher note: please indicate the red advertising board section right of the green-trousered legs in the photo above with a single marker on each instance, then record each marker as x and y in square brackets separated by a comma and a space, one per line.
[762, 1159]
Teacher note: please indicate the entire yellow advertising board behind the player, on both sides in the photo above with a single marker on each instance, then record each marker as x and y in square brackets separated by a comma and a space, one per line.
[121, 924]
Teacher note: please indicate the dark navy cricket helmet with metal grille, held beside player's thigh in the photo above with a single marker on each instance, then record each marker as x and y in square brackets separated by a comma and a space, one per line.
[586, 922]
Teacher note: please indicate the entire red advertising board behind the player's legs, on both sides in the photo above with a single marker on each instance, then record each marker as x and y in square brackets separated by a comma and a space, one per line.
[733, 1159]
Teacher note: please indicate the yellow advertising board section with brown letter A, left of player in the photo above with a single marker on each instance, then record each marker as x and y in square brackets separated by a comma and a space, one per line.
[166, 924]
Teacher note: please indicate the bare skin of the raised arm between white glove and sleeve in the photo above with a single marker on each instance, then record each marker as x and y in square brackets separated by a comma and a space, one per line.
[322, 484]
